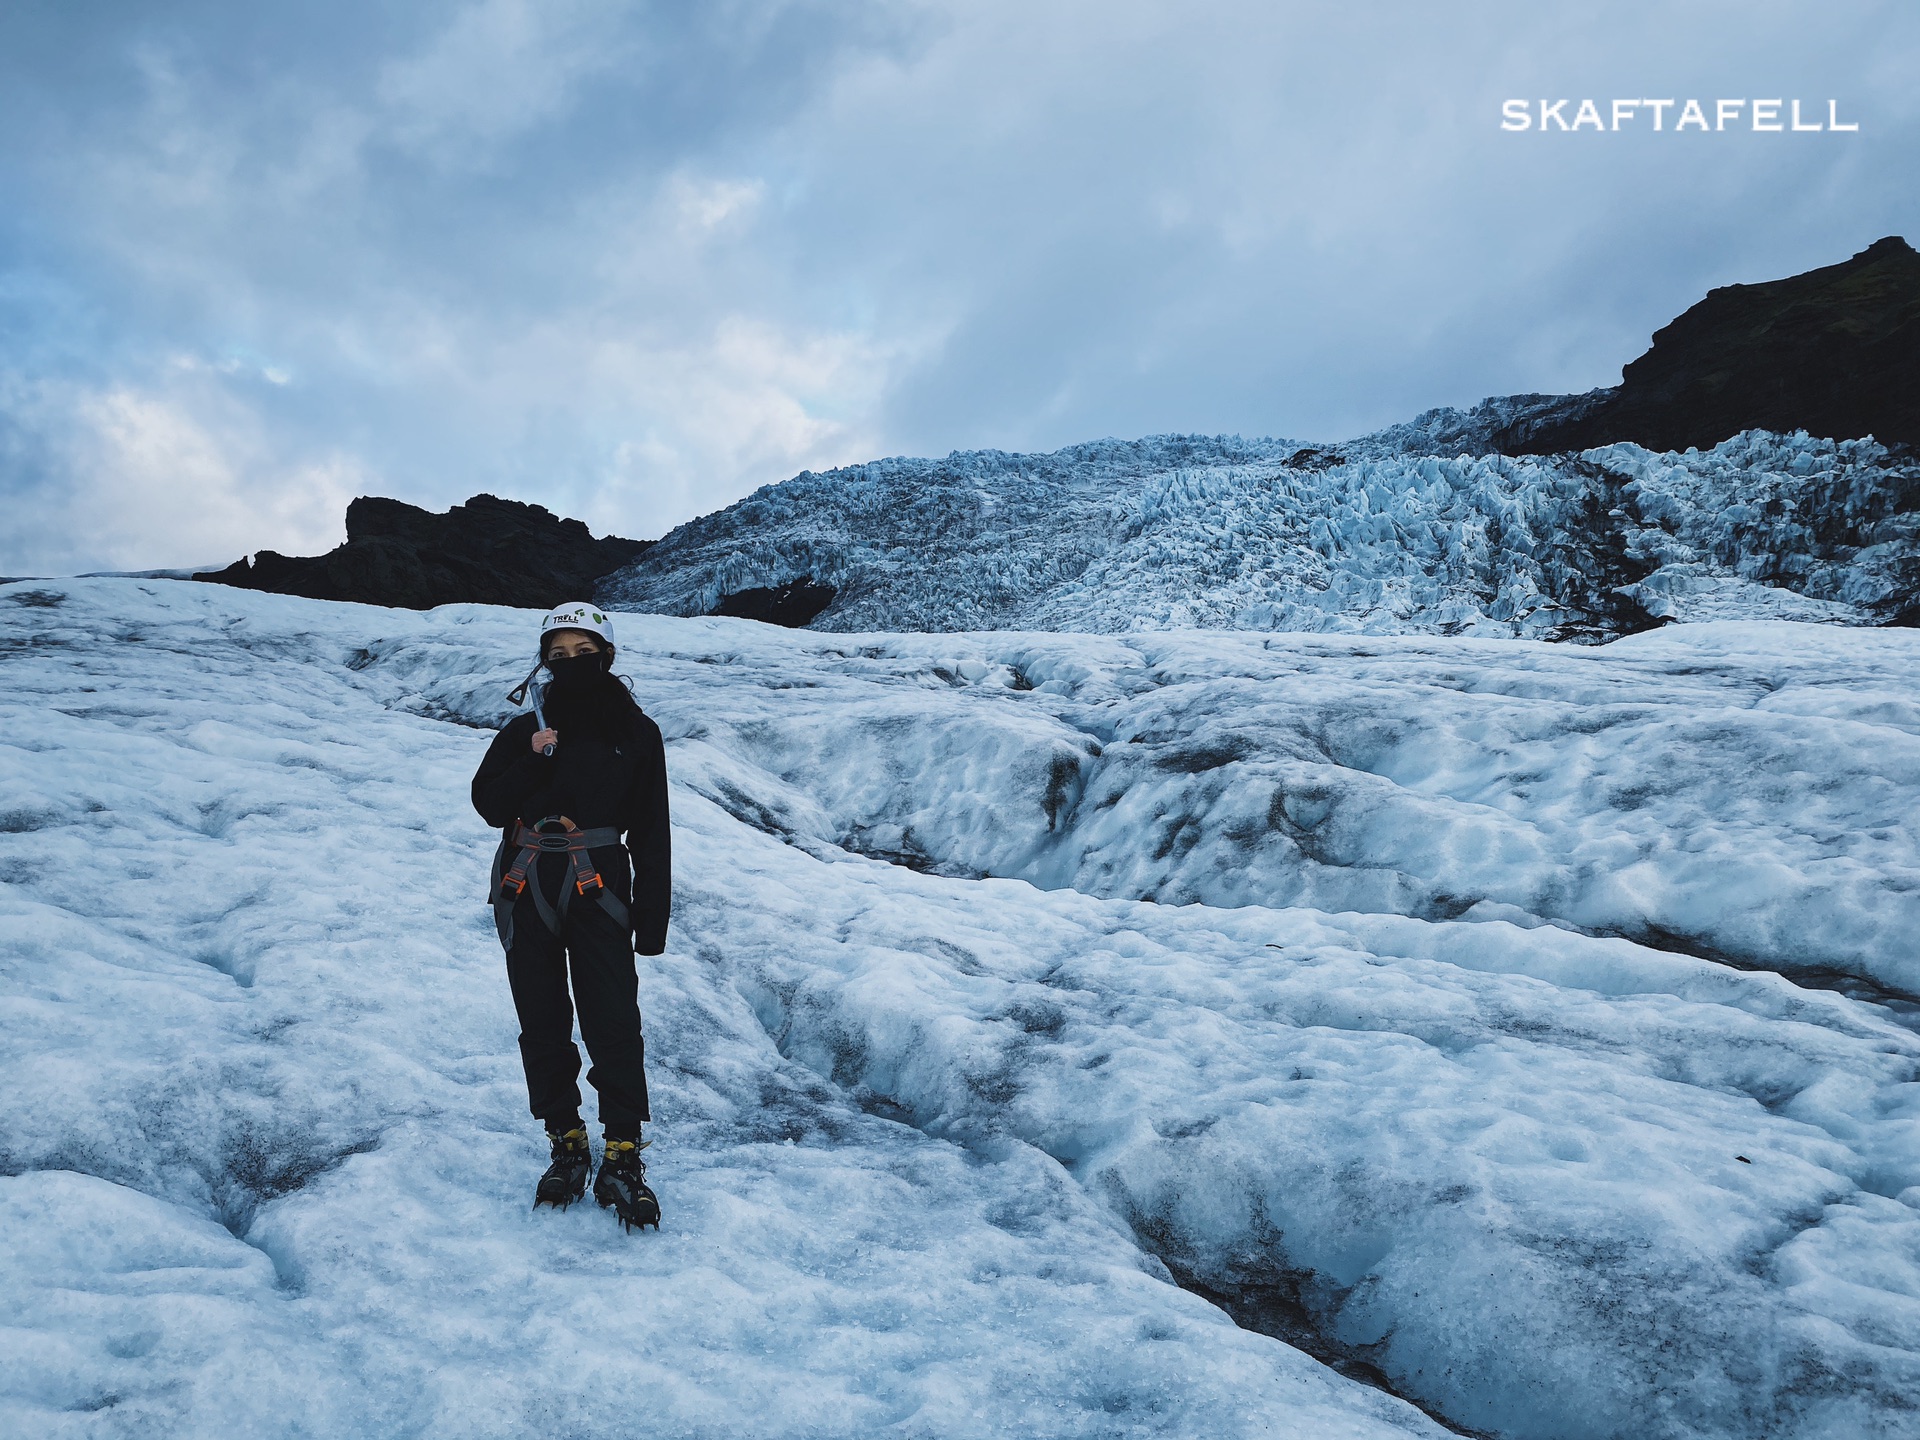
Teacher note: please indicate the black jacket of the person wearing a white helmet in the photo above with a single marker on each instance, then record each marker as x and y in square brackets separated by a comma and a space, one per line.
[594, 784]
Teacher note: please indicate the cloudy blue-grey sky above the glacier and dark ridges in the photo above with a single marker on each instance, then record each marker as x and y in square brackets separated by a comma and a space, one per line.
[636, 260]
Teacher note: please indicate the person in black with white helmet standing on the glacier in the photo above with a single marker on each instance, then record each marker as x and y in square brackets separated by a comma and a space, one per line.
[565, 784]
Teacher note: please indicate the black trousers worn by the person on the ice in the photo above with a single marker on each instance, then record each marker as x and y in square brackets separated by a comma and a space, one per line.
[608, 990]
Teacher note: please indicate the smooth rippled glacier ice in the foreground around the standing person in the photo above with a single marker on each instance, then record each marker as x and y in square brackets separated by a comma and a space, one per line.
[1527, 1028]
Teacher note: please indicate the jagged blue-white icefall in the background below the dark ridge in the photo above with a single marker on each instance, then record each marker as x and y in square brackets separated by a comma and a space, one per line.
[1414, 531]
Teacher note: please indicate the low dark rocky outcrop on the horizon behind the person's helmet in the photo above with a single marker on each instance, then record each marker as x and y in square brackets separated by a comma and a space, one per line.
[489, 552]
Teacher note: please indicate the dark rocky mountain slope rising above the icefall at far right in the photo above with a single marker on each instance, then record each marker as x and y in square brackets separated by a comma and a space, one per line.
[1833, 352]
